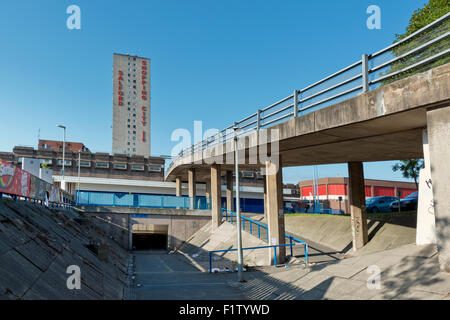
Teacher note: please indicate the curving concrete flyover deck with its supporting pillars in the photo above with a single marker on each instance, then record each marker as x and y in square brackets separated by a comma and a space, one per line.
[386, 123]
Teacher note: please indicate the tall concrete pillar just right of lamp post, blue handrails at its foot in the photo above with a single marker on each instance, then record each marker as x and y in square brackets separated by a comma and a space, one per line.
[275, 213]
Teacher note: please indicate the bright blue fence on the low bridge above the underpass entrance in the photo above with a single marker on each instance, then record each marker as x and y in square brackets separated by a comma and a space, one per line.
[120, 199]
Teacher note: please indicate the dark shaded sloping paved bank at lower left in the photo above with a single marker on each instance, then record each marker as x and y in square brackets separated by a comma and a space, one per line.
[37, 245]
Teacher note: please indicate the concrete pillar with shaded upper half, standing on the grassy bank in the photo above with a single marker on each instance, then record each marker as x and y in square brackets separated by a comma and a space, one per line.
[357, 202]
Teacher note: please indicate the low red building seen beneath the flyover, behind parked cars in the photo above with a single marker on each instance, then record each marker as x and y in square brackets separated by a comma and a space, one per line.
[330, 189]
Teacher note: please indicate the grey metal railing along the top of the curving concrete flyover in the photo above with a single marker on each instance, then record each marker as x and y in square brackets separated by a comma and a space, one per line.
[419, 49]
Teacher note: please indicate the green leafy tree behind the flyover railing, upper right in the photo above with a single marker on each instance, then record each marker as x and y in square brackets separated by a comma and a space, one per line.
[433, 10]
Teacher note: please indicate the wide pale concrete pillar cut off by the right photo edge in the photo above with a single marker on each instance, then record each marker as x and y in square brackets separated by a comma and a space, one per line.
[438, 127]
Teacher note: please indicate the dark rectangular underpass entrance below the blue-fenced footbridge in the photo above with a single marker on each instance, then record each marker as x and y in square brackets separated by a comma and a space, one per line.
[150, 237]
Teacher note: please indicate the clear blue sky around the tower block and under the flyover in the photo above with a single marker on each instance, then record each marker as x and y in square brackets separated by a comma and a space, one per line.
[211, 60]
